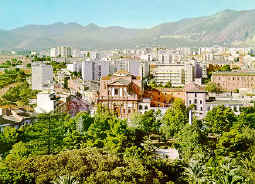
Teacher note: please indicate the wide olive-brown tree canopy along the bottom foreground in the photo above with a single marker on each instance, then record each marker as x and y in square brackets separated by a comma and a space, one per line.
[93, 165]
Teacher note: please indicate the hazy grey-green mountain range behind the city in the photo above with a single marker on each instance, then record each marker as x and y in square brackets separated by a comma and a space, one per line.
[226, 28]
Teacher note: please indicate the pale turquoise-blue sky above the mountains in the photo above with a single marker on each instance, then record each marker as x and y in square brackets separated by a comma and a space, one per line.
[125, 13]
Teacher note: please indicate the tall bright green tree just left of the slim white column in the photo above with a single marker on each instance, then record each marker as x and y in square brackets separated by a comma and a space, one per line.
[174, 119]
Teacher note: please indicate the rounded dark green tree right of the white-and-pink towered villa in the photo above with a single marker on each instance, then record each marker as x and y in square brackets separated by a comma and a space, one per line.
[220, 119]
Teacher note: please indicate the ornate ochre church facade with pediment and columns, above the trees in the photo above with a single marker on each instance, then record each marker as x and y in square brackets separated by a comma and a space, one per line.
[120, 93]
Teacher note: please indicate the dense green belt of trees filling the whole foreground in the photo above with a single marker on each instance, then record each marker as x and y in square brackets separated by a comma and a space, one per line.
[102, 148]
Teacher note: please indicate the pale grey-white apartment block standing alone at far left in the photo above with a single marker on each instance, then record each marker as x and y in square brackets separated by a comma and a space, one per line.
[42, 76]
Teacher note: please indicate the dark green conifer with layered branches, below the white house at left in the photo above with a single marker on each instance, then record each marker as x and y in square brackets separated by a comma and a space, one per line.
[45, 135]
